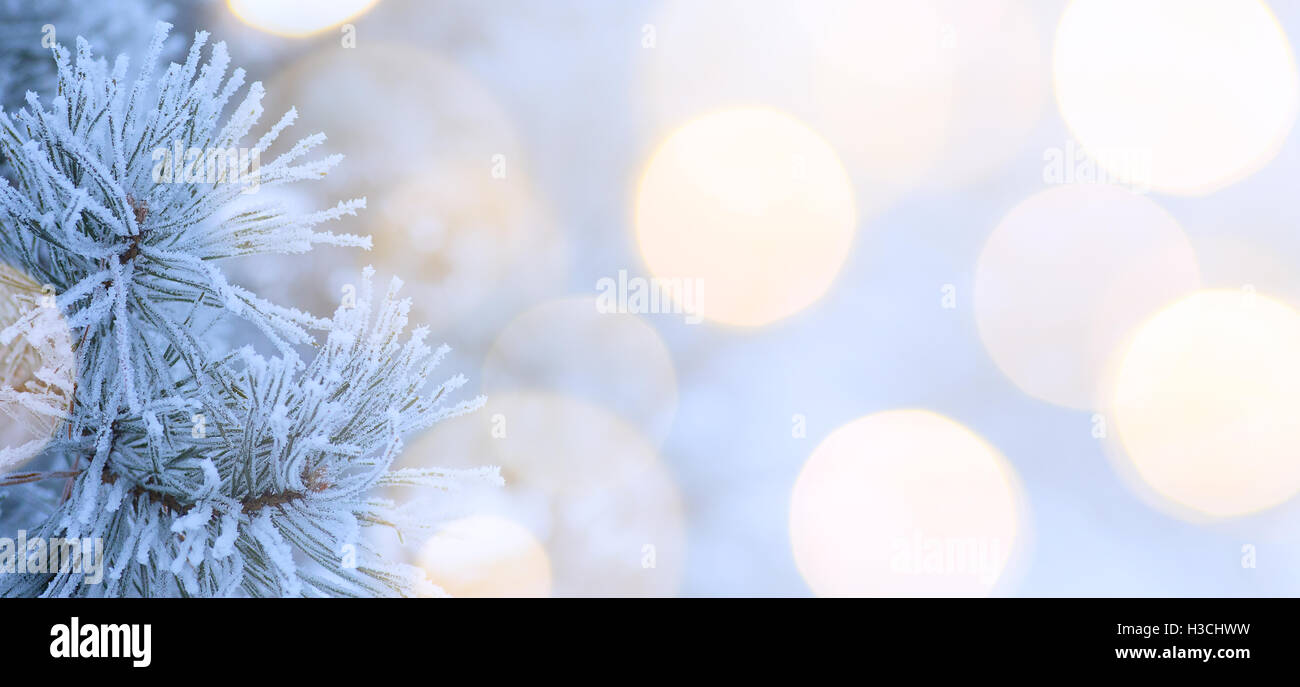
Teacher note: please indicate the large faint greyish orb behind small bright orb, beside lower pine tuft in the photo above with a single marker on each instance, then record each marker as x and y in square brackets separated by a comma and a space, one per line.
[586, 482]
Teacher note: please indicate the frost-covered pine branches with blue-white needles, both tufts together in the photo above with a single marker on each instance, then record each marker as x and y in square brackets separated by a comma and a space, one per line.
[205, 472]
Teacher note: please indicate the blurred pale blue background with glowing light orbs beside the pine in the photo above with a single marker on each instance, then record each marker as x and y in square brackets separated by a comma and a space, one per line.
[874, 299]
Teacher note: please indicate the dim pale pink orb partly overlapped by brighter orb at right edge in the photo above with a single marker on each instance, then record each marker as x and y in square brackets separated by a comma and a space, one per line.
[1065, 278]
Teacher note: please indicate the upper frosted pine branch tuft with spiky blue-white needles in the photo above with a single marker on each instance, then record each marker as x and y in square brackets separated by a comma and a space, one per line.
[136, 260]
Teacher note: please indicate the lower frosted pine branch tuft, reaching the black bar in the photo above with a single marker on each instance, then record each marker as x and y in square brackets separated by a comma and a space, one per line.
[271, 498]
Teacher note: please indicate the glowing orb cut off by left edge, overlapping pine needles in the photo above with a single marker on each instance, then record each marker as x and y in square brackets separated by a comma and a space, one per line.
[38, 368]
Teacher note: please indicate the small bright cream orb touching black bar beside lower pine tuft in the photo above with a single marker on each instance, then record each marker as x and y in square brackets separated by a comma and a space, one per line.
[487, 556]
